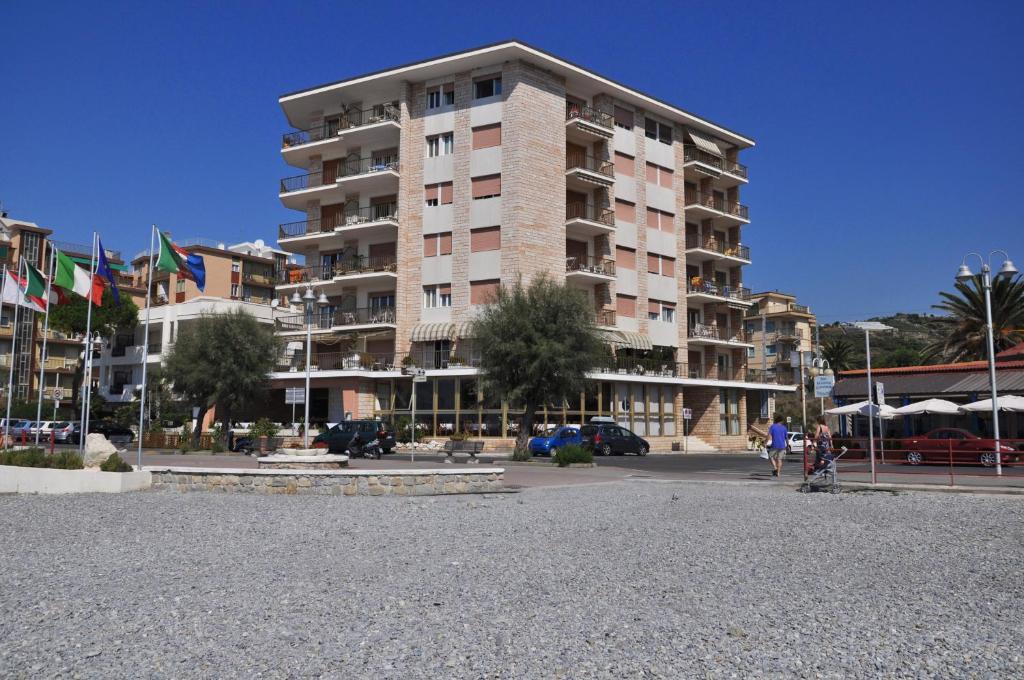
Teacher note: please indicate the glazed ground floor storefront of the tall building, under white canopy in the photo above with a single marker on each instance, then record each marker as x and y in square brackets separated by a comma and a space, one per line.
[457, 402]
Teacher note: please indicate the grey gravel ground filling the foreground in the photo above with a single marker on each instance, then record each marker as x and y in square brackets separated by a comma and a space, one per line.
[608, 581]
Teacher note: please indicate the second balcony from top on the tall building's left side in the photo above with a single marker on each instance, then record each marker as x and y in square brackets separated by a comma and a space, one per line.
[371, 176]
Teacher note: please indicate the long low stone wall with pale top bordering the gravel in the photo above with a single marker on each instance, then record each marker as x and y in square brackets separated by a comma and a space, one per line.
[330, 483]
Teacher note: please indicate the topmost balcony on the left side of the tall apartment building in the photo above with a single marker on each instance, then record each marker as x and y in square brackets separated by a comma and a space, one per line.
[368, 127]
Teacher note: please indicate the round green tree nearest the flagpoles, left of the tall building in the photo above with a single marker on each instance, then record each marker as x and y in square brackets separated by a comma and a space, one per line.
[223, 361]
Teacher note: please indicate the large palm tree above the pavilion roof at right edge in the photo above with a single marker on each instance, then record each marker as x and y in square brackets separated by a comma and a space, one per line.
[968, 342]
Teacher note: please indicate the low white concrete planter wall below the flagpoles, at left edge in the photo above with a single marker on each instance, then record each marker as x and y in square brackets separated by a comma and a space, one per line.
[46, 481]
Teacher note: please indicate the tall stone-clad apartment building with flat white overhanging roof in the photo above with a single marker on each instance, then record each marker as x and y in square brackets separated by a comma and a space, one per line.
[424, 188]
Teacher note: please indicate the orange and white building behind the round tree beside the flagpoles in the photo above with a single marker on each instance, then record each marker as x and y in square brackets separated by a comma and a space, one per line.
[239, 277]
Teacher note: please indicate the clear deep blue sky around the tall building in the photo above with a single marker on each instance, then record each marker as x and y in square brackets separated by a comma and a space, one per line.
[889, 135]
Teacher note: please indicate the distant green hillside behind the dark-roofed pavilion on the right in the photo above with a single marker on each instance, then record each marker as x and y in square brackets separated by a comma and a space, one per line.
[904, 347]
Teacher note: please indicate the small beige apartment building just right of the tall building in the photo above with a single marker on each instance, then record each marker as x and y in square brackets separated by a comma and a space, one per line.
[778, 327]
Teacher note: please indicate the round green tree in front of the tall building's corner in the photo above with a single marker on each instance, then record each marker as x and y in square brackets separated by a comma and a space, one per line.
[537, 343]
